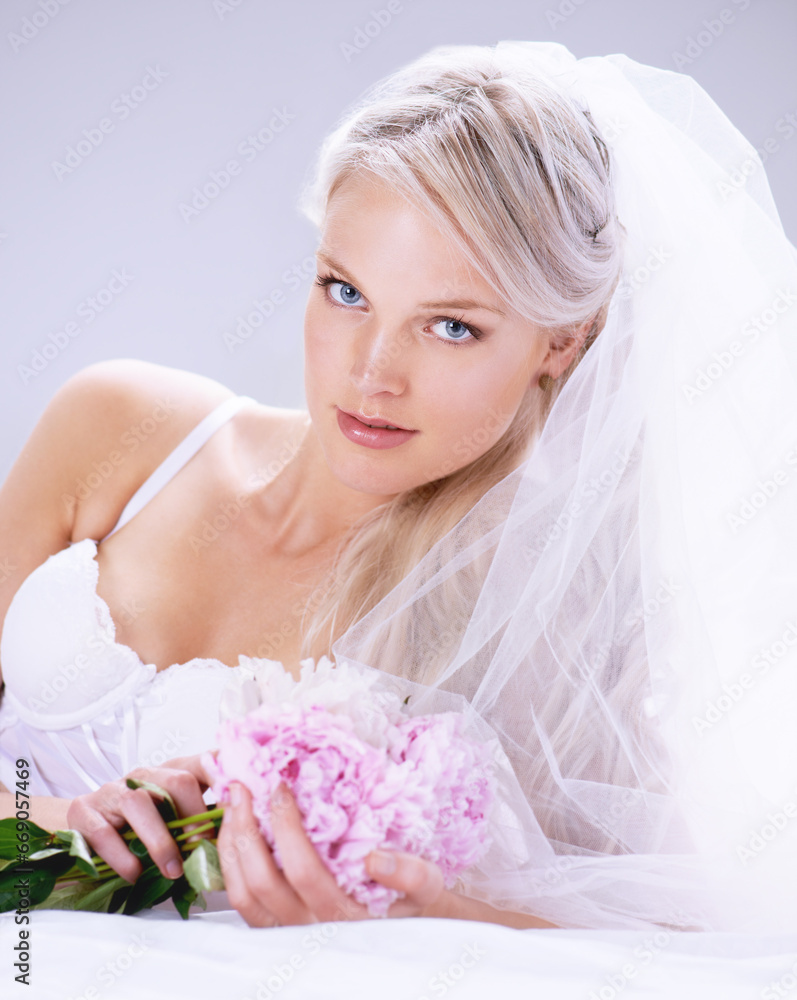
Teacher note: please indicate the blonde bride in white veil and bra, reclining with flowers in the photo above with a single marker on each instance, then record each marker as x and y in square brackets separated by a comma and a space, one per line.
[549, 581]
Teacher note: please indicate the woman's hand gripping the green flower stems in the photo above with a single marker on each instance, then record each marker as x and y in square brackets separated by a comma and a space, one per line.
[101, 814]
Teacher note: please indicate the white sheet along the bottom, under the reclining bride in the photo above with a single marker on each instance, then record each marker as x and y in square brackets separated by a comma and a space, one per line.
[89, 956]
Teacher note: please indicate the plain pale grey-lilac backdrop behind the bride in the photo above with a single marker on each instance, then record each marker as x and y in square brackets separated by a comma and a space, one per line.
[228, 66]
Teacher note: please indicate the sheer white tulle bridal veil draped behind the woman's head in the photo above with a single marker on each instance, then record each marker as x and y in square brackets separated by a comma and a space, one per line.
[619, 615]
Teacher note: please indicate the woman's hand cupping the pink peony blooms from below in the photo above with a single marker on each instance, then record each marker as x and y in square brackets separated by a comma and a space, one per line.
[305, 891]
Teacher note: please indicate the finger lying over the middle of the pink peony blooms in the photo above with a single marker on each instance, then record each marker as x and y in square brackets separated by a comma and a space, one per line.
[307, 874]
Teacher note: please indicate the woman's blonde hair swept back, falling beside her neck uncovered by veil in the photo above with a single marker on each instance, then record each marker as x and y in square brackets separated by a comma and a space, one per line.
[519, 179]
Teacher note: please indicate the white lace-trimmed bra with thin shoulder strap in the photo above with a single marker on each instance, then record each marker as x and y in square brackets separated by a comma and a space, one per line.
[79, 706]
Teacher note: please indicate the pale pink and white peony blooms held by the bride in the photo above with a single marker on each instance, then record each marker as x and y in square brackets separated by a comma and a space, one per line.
[365, 774]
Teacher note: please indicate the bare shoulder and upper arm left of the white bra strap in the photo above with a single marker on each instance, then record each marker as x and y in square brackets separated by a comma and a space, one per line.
[96, 414]
